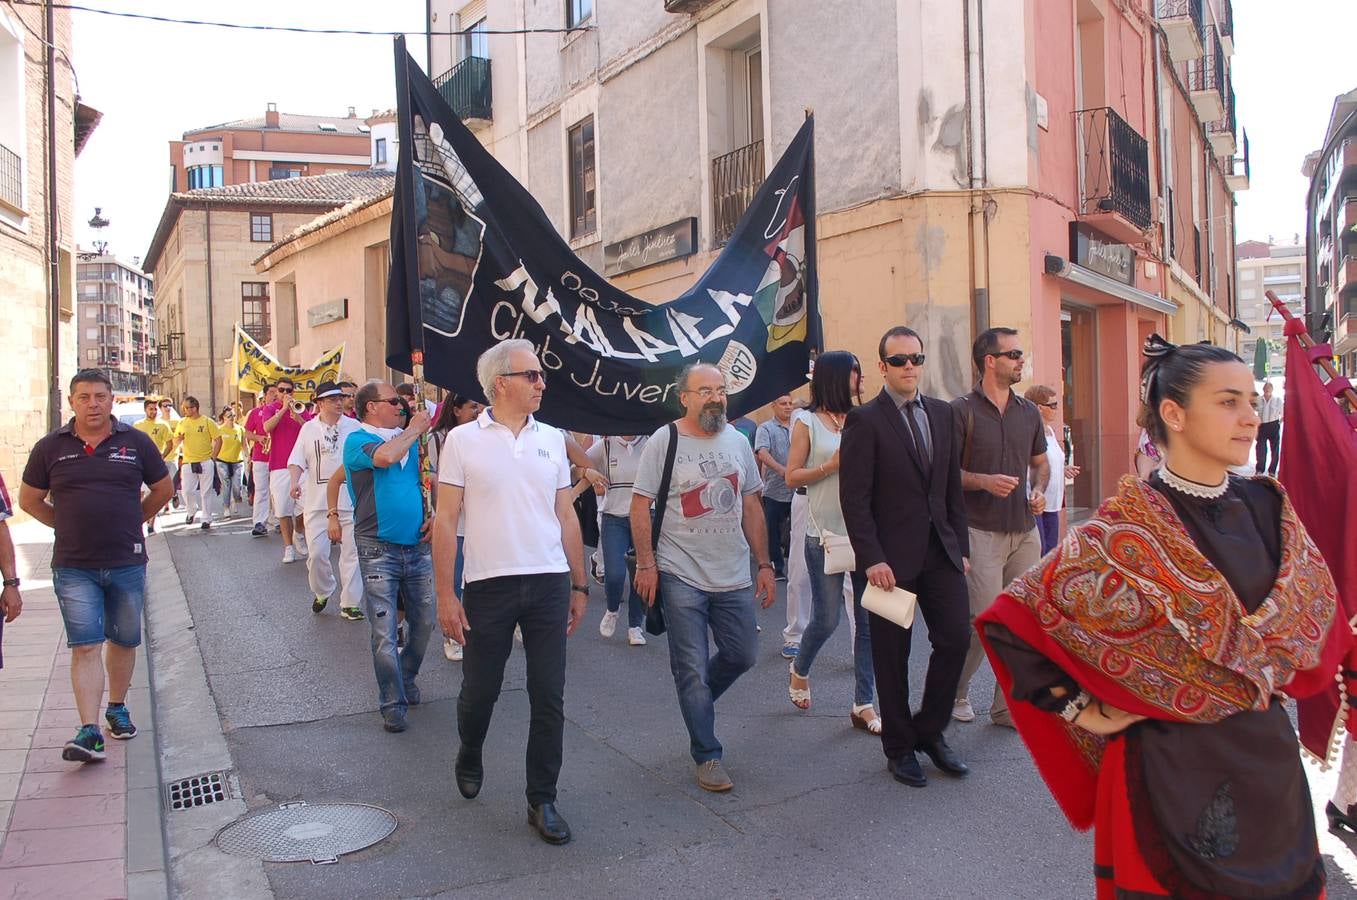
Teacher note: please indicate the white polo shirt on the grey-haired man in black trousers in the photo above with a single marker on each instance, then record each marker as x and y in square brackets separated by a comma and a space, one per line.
[510, 496]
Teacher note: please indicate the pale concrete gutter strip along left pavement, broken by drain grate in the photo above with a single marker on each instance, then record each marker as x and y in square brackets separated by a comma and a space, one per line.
[191, 743]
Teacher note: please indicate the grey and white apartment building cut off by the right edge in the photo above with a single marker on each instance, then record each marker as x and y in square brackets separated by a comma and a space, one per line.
[1332, 234]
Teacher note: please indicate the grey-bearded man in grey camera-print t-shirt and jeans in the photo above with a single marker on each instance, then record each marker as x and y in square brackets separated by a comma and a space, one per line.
[713, 521]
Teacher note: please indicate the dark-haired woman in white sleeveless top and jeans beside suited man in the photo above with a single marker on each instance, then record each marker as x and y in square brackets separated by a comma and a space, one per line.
[814, 462]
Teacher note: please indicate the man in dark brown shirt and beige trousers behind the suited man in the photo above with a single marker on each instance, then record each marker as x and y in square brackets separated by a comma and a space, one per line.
[1004, 474]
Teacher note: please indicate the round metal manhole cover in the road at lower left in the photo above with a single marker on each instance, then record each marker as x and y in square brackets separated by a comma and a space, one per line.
[299, 833]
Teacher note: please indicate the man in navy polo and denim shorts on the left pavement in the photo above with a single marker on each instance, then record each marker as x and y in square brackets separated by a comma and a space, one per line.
[93, 469]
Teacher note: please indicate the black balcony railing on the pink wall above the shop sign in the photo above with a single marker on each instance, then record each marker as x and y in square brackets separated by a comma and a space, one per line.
[1116, 166]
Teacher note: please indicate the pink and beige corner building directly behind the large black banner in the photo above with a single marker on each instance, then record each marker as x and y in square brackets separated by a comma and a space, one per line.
[1066, 168]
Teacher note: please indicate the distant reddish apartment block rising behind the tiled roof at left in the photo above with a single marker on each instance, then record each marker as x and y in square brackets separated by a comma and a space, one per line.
[275, 147]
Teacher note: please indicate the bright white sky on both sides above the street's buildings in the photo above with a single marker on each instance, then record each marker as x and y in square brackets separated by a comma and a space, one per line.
[154, 82]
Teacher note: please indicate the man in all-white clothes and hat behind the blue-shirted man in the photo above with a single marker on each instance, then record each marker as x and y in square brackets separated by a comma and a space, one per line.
[314, 460]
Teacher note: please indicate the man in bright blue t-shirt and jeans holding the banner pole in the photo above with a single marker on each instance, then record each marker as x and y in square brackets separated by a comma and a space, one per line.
[382, 466]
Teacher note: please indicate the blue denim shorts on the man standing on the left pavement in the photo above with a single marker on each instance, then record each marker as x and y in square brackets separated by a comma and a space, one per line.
[101, 605]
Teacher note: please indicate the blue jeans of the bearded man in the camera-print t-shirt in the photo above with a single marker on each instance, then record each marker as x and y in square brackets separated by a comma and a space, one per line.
[701, 679]
